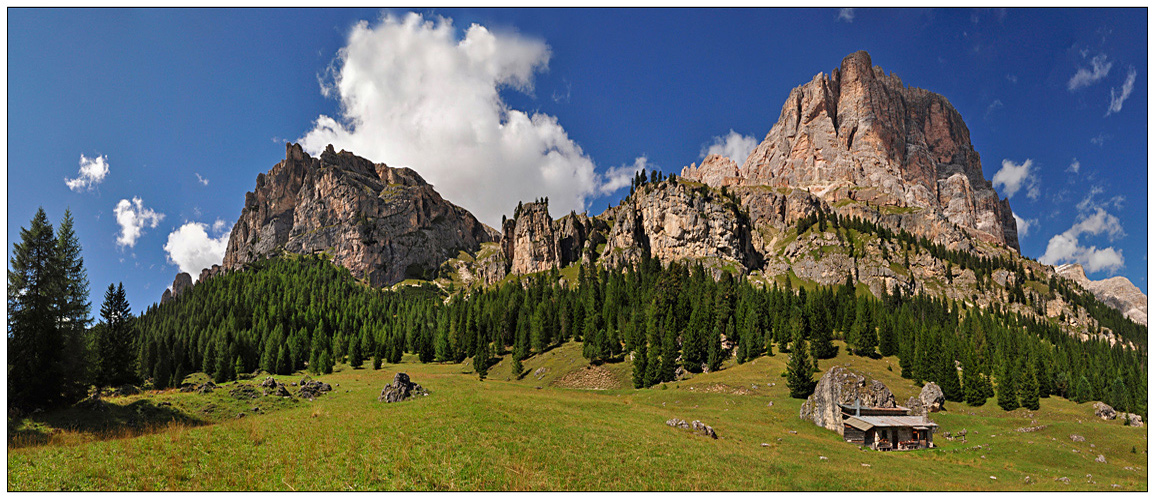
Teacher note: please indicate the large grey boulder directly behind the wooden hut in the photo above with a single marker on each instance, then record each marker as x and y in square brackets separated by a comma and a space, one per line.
[843, 386]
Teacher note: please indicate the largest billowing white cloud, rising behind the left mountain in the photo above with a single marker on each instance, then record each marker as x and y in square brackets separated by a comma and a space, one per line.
[414, 95]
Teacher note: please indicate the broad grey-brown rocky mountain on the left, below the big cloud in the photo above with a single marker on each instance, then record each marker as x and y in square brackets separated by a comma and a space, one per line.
[384, 225]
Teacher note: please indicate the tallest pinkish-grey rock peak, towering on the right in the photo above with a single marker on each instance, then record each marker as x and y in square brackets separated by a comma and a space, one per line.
[862, 135]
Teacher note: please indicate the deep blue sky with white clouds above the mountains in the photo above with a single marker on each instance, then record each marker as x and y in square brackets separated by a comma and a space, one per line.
[182, 110]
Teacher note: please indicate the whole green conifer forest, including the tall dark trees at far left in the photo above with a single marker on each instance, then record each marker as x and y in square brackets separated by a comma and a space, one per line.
[286, 315]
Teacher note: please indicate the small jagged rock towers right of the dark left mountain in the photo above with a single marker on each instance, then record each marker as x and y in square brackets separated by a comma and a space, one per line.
[534, 242]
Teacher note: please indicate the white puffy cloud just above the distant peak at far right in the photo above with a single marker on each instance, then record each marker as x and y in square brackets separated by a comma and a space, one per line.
[1067, 248]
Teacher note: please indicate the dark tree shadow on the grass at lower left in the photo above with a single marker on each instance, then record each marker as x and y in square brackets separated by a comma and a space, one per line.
[96, 419]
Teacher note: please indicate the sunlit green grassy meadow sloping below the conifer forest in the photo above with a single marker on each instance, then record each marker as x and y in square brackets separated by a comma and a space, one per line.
[511, 435]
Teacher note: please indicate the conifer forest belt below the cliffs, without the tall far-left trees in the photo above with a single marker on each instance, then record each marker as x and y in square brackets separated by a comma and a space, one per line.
[288, 315]
